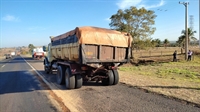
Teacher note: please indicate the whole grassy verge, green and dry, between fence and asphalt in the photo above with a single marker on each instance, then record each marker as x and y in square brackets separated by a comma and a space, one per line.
[179, 80]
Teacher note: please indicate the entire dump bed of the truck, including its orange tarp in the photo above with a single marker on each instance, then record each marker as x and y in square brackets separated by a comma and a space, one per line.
[92, 45]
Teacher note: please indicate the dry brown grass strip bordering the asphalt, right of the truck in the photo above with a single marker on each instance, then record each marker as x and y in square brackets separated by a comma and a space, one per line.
[172, 88]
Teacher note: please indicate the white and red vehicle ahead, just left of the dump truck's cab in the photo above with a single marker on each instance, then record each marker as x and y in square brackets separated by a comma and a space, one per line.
[38, 53]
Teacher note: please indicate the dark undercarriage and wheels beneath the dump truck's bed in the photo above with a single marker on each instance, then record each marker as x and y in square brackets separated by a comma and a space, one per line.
[73, 74]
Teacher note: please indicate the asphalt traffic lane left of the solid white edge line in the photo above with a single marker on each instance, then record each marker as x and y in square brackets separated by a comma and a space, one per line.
[20, 90]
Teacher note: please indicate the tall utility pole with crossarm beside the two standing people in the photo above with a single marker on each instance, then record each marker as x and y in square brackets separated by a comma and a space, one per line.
[186, 29]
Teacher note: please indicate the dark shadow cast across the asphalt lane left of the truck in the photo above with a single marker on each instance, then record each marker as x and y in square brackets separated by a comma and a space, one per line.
[20, 81]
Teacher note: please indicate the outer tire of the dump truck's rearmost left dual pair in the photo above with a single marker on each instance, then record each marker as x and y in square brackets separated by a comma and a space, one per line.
[69, 79]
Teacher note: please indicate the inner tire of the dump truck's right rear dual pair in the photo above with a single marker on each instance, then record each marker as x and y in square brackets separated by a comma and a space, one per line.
[110, 79]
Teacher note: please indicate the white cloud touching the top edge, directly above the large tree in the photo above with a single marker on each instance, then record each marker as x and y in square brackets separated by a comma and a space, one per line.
[127, 3]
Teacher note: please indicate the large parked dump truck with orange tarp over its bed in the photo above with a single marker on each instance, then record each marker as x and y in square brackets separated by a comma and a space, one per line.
[87, 54]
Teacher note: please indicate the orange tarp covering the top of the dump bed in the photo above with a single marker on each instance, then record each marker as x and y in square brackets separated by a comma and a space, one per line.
[98, 36]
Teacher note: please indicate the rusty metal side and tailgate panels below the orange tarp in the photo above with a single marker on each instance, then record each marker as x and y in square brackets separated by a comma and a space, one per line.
[90, 53]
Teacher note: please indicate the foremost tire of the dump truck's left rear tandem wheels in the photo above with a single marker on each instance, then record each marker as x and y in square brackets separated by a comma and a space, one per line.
[60, 75]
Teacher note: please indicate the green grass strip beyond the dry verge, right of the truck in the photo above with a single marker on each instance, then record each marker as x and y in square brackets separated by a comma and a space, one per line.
[183, 70]
